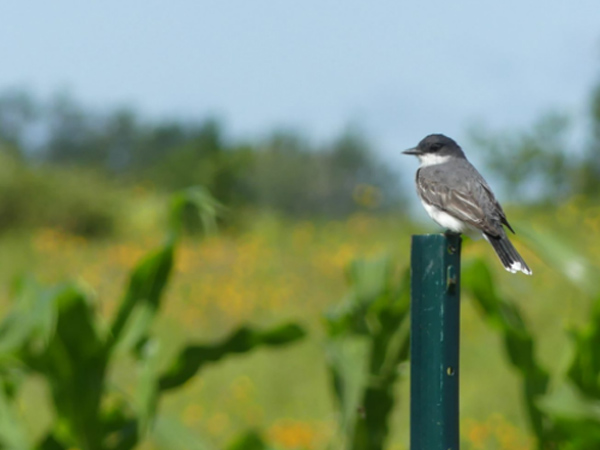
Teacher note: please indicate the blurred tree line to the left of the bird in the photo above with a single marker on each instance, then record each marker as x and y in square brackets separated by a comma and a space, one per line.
[283, 172]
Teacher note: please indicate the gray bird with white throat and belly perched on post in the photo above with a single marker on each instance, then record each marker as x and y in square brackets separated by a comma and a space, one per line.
[458, 198]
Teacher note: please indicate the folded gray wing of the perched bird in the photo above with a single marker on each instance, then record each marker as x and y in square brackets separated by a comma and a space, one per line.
[463, 193]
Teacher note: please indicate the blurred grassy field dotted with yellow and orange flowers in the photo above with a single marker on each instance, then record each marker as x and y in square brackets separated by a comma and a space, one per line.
[275, 270]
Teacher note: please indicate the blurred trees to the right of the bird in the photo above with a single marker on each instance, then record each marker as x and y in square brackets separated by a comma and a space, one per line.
[550, 161]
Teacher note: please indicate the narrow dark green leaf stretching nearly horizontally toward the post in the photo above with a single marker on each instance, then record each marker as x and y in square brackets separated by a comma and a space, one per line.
[244, 339]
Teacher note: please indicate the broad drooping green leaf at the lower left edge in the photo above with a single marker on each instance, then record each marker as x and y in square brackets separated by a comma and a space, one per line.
[62, 344]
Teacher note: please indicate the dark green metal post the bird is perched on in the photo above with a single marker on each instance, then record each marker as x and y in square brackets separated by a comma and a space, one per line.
[435, 325]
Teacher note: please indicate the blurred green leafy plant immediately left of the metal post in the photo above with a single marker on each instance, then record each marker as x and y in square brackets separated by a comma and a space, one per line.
[375, 311]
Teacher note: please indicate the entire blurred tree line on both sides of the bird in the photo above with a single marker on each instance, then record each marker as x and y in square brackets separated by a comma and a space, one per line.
[63, 164]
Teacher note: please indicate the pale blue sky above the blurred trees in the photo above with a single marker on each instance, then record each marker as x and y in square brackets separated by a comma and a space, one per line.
[398, 70]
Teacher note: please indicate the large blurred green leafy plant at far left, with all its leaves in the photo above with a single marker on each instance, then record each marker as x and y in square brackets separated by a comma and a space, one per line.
[55, 334]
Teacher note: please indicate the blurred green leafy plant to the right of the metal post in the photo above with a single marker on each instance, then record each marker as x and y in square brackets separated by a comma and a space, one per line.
[563, 413]
